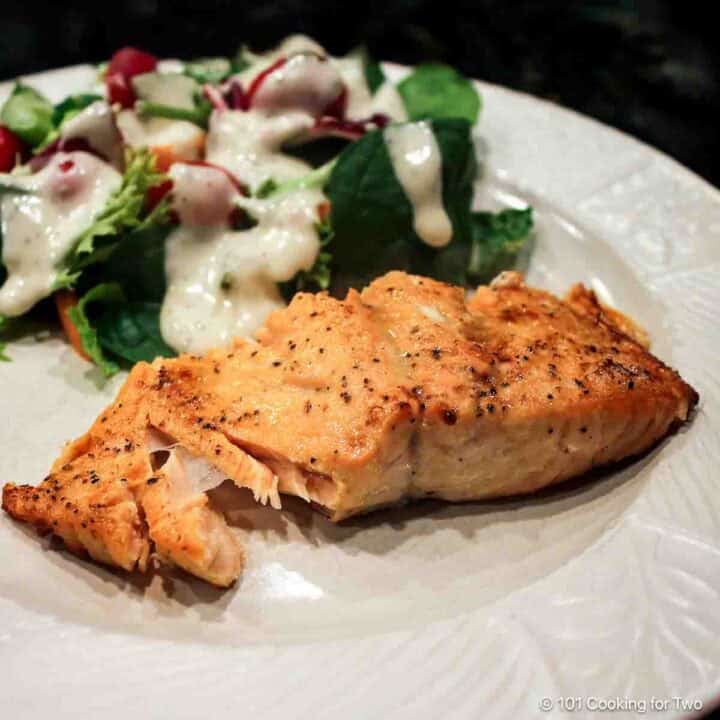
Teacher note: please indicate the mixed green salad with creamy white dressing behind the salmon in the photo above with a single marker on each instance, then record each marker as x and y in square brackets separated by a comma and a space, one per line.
[176, 204]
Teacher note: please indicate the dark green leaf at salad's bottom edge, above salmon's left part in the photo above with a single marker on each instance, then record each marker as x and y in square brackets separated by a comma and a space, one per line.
[132, 331]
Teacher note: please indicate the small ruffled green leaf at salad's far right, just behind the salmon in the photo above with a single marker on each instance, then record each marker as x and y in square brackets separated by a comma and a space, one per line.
[497, 240]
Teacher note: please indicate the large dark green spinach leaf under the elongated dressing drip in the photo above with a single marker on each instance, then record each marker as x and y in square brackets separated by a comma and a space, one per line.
[372, 219]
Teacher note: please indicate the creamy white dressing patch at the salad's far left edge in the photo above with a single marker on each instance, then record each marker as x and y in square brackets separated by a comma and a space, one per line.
[40, 227]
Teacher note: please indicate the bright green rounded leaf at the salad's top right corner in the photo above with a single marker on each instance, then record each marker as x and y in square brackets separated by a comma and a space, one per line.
[438, 91]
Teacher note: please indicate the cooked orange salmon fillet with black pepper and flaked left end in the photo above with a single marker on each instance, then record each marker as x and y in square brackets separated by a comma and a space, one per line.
[401, 391]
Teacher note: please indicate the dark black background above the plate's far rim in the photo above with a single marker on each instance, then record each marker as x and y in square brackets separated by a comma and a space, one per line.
[647, 67]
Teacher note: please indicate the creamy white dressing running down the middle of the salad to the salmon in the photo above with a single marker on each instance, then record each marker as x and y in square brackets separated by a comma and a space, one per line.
[223, 283]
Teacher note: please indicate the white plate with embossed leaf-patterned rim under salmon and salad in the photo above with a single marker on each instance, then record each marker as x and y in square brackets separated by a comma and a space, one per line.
[607, 590]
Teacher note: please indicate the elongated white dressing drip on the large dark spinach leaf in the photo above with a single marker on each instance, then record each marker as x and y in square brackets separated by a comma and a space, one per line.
[417, 163]
